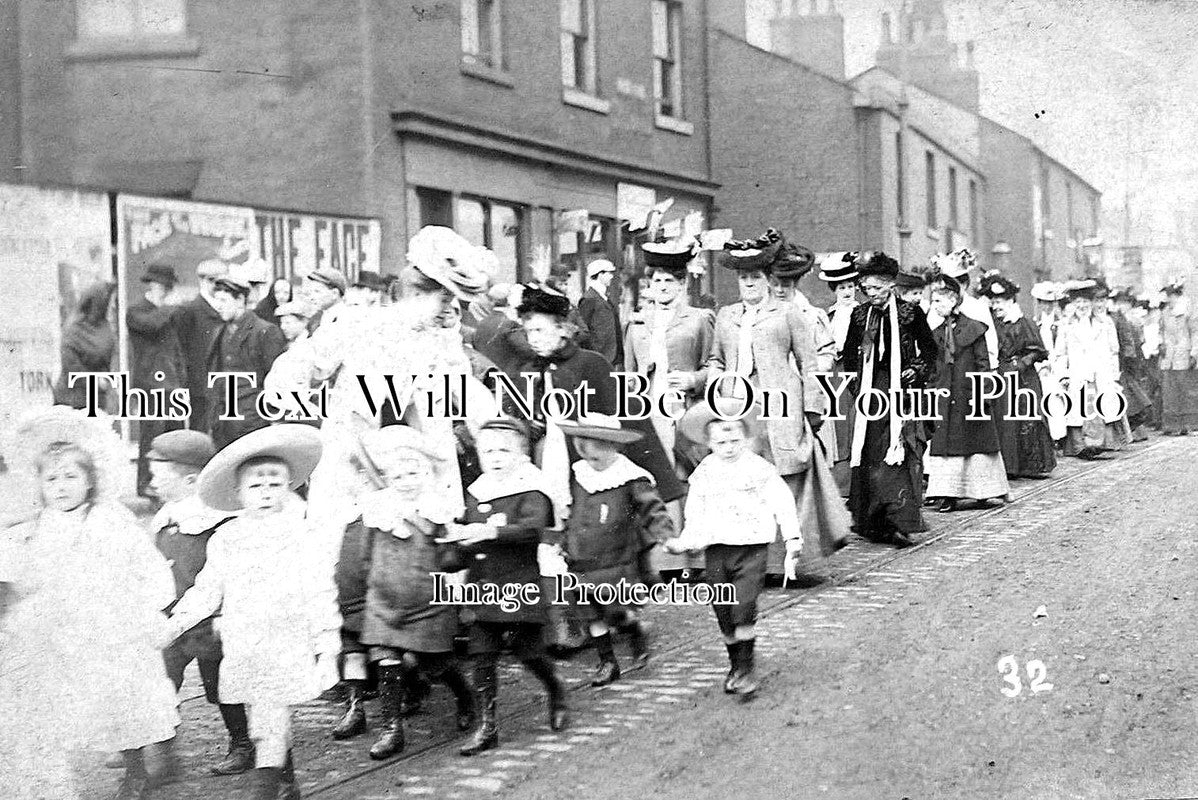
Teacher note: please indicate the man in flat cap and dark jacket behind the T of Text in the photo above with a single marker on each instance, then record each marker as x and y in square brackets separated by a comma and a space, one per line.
[246, 344]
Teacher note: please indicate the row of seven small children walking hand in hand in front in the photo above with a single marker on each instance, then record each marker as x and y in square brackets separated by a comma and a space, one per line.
[273, 625]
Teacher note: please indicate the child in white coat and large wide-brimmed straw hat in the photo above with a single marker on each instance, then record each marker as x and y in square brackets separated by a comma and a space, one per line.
[267, 571]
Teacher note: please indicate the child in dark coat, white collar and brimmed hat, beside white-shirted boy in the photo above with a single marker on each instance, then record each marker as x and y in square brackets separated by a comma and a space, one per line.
[616, 516]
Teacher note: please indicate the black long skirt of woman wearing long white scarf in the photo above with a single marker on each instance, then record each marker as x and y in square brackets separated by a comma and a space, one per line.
[884, 498]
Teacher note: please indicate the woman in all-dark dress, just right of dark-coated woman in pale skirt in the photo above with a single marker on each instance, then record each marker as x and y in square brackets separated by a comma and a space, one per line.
[1027, 447]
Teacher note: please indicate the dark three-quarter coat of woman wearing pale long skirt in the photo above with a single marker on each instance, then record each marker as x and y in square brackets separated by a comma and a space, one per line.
[957, 435]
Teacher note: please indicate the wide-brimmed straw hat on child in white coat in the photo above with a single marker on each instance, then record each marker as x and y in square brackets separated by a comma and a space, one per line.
[298, 446]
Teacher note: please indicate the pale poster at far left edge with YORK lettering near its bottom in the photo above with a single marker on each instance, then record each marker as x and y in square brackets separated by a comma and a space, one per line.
[55, 246]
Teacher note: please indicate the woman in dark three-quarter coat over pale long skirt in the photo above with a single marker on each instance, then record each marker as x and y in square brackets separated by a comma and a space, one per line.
[965, 459]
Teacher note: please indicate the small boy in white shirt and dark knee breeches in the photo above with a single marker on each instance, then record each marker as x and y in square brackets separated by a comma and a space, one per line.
[736, 507]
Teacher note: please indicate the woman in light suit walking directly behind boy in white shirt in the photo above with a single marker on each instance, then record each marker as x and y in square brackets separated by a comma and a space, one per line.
[770, 346]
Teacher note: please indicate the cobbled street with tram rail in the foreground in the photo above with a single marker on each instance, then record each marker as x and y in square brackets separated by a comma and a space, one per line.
[825, 652]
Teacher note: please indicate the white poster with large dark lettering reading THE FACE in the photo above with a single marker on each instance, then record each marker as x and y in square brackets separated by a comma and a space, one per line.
[295, 245]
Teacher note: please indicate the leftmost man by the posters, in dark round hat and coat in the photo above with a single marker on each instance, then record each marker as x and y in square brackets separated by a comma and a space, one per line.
[158, 357]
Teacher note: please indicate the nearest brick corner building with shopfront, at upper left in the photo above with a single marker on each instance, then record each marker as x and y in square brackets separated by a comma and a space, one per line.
[494, 117]
